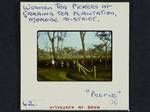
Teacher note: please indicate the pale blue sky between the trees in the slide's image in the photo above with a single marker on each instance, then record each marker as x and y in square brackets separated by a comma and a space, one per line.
[72, 39]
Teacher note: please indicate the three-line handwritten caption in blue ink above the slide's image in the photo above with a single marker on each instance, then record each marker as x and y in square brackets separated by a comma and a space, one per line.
[67, 12]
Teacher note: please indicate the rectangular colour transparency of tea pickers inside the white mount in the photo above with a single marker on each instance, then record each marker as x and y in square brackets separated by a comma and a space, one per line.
[74, 55]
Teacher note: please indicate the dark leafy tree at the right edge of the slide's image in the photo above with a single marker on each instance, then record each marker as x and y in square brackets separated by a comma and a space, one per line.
[105, 37]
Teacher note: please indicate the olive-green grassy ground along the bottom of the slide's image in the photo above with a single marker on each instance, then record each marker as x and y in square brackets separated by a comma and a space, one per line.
[47, 74]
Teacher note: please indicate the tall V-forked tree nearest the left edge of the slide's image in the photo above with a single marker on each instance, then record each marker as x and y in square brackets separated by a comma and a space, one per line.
[52, 37]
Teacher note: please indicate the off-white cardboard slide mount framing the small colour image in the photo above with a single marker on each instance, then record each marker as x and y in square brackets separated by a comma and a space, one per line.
[44, 94]
